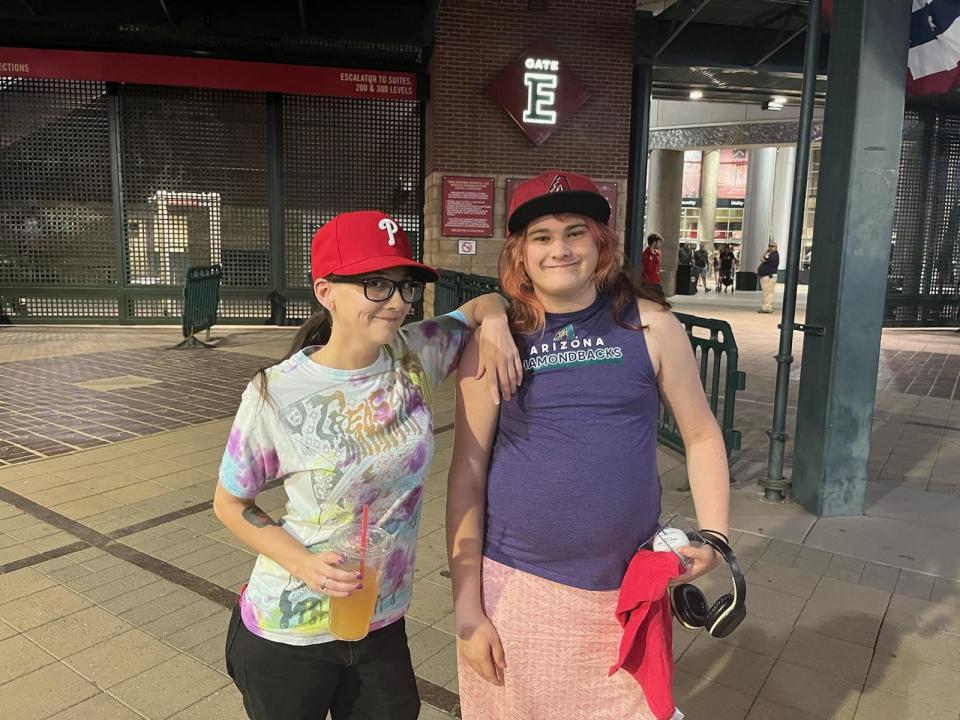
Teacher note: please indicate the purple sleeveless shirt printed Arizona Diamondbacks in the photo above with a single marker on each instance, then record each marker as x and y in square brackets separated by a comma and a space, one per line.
[573, 488]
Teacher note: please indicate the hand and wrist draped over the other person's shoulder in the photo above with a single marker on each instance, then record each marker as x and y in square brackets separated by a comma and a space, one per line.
[499, 360]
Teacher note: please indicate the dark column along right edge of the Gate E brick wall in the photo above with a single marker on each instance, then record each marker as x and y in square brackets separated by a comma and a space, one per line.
[637, 172]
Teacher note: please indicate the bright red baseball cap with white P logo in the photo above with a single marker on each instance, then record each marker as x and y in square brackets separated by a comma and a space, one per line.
[361, 242]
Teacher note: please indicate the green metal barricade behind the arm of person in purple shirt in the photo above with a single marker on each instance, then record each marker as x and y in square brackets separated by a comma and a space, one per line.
[717, 356]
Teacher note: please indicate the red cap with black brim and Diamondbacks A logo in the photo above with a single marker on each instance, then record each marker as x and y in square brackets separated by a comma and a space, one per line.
[554, 193]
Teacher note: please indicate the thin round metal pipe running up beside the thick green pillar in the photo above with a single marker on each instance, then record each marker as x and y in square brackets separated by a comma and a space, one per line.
[776, 486]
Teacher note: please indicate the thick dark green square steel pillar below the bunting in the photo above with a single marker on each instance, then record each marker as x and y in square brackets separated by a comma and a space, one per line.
[855, 201]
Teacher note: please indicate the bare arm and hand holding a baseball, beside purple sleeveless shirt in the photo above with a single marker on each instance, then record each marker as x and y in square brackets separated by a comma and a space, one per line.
[707, 470]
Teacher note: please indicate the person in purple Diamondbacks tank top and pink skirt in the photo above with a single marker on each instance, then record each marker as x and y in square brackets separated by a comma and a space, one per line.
[550, 495]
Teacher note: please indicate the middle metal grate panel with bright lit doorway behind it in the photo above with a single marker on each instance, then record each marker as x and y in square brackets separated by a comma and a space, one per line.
[195, 185]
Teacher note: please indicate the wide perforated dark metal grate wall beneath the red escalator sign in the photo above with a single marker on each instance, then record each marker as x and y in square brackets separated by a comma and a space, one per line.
[108, 193]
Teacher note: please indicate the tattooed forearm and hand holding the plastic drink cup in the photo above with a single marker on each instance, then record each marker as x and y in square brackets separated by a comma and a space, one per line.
[320, 571]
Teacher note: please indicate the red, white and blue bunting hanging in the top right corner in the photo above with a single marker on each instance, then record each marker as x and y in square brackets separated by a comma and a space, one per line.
[933, 65]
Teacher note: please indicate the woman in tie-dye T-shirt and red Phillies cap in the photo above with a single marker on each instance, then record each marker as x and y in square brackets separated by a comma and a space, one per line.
[345, 423]
